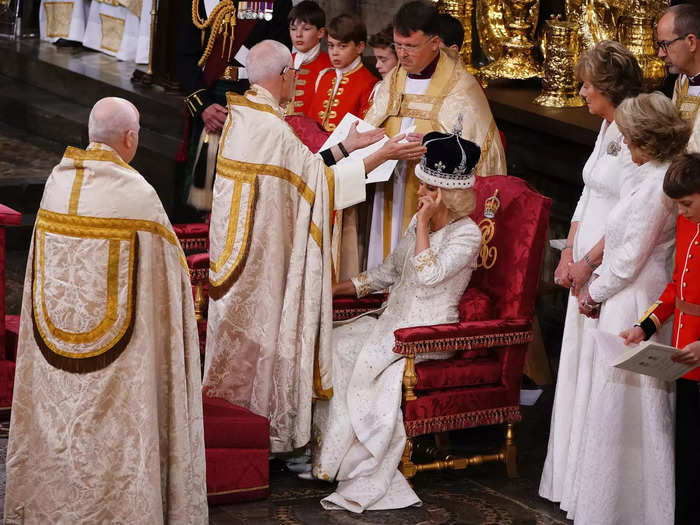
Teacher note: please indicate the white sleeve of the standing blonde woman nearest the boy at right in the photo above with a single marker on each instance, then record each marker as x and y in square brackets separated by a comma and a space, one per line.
[632, 237]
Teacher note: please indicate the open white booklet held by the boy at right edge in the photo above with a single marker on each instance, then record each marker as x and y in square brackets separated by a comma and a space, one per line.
[648, 358]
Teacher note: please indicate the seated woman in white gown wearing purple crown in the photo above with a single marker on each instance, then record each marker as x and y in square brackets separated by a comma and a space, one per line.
[359, 434]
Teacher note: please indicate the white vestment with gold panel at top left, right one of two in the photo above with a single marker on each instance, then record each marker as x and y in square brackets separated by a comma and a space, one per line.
[120, 28]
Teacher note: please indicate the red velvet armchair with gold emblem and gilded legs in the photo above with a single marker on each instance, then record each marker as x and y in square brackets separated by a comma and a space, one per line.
[481, 384]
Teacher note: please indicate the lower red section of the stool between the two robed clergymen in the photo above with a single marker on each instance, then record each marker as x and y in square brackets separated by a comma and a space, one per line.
[237, 475]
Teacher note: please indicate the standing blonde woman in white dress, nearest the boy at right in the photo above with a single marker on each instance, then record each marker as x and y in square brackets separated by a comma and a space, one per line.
[626, 464]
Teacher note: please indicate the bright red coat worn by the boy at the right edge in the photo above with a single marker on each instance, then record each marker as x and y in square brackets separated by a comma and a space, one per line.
[682, 294]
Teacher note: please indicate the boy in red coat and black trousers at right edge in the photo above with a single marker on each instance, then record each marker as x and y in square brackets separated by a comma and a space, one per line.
[681, 298]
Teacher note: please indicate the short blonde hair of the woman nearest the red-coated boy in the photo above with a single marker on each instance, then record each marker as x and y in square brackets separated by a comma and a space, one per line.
[651, 123]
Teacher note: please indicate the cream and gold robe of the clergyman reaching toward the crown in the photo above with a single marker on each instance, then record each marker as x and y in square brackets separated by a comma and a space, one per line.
[270, 309]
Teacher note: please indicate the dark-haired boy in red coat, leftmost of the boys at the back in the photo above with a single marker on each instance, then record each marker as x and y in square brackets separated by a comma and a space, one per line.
[307, 27]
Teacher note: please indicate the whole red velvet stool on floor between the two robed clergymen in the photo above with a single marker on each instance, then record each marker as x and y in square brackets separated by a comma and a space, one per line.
[237, 450]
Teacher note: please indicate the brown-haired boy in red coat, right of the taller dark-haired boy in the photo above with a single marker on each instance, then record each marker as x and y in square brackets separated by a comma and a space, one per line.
[347, 86]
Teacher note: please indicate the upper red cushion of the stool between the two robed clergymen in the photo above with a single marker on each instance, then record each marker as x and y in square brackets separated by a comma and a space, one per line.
[230, 426]
